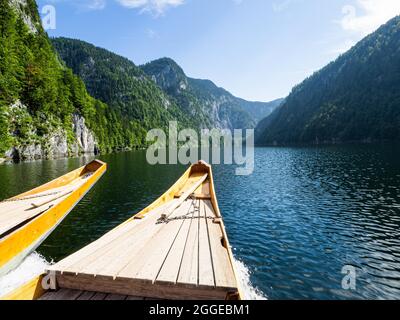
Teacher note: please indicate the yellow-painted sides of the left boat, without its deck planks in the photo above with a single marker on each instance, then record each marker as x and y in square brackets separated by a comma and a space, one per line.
[19, 243]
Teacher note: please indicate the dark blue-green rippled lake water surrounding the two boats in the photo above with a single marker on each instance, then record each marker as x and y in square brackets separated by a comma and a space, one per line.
[294, 224]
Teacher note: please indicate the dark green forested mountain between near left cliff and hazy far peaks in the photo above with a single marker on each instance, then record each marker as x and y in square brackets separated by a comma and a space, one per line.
[118, 82]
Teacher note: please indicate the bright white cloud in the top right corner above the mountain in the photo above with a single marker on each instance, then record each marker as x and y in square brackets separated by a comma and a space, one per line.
[368, 15]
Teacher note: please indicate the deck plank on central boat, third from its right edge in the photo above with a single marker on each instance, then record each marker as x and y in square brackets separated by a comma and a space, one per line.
[188, 273]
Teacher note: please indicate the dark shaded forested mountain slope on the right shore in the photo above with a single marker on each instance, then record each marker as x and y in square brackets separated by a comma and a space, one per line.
[355, 98]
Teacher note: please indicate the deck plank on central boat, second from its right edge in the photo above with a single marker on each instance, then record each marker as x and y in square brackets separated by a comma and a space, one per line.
[206, 269]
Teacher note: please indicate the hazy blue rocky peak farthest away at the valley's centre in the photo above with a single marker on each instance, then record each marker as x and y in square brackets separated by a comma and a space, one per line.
[215, 106]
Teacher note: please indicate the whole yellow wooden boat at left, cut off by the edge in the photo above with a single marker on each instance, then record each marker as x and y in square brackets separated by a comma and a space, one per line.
[28, 219]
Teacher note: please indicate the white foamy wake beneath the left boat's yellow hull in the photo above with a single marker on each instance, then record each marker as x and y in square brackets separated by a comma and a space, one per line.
[32, 266]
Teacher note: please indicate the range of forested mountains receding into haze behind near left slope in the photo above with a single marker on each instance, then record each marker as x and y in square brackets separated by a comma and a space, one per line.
[158, 91]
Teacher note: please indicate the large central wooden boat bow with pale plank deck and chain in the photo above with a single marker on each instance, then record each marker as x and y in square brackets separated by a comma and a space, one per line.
[177, 248]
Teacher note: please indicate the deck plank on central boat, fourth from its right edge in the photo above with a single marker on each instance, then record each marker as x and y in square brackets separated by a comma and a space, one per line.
[170, 269]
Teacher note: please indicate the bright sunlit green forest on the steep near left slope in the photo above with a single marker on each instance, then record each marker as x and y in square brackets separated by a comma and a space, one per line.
[39, 95]
